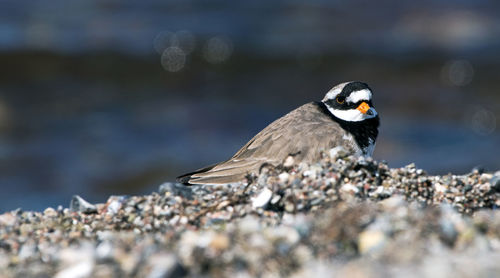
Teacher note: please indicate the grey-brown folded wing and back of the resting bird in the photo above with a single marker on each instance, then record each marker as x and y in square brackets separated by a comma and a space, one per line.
[304, 132]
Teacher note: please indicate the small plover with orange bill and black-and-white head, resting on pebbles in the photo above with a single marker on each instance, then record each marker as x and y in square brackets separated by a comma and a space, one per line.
[345, 117]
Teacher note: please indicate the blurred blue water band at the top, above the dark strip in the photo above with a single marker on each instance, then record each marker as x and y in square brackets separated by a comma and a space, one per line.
[270, 27]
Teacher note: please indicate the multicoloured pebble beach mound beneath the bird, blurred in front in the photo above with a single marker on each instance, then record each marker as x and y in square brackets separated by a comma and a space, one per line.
[342, 217]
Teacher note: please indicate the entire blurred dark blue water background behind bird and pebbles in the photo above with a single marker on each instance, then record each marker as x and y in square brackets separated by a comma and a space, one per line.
[117, 96]
